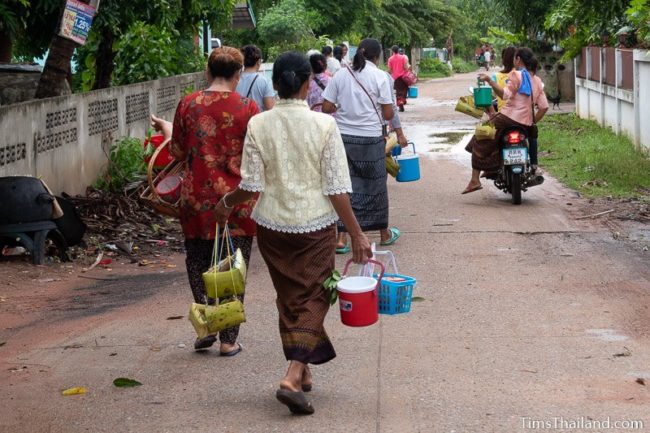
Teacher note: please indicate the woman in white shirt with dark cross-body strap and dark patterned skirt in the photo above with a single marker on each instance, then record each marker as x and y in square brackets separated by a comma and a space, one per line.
[362, 97]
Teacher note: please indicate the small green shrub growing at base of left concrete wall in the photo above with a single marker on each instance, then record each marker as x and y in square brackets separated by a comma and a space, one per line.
[125, 165]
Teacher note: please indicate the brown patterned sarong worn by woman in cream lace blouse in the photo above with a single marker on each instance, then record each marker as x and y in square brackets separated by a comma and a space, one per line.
[299, 263]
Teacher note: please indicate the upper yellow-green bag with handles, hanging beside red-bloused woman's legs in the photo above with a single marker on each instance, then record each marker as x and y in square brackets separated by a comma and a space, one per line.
[225, 277]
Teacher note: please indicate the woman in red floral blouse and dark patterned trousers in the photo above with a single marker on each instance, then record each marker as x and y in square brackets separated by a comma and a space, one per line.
[208, 134]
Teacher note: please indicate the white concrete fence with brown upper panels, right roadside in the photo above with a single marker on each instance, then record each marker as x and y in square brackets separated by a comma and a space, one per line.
[613, 88]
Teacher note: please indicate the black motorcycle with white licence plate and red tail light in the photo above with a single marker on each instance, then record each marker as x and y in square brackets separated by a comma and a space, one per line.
[515, 174]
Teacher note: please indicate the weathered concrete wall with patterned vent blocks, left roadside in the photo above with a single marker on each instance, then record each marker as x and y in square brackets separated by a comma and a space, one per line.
[66, 140]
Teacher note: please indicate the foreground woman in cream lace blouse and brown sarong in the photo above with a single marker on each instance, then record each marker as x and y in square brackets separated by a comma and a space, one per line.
[295, 159]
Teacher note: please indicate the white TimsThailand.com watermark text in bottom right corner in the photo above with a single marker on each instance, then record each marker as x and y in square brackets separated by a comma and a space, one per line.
[581, 423]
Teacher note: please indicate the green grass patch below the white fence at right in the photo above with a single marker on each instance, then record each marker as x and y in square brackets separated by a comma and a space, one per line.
[591, 159]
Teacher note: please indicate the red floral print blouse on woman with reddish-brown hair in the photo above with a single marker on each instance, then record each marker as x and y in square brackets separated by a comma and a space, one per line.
[208, 134]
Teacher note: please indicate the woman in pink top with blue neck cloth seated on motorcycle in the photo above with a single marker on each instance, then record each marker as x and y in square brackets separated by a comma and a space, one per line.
[521, 92]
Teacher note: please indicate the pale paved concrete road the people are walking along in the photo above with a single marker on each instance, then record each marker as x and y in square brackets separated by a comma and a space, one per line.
[524, 311]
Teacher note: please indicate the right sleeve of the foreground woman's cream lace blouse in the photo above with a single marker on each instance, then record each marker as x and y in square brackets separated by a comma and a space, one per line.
[335, 173]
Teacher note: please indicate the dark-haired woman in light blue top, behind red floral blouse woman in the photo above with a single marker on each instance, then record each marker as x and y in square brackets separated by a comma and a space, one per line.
[252, 84]
